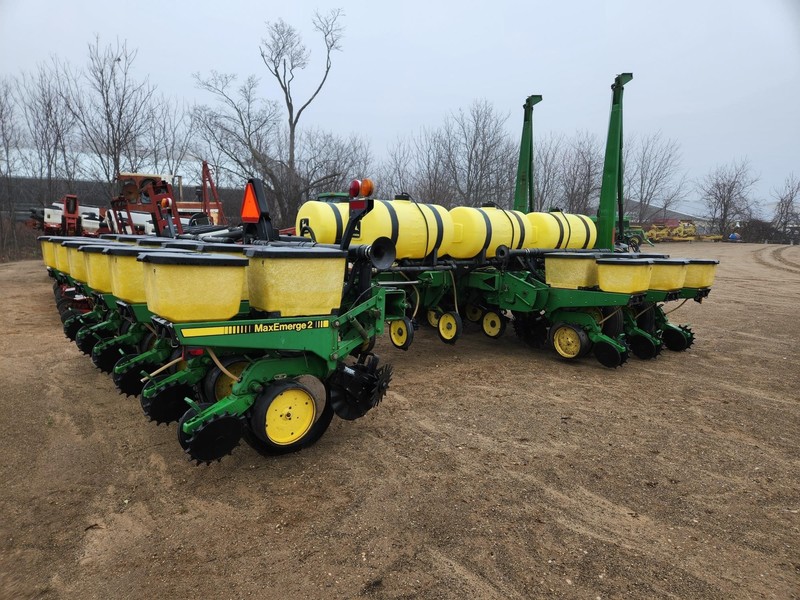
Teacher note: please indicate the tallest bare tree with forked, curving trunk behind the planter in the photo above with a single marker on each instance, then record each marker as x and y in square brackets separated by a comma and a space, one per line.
[284, 55]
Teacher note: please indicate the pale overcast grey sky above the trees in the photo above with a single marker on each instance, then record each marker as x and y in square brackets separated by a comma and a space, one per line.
[722, 77]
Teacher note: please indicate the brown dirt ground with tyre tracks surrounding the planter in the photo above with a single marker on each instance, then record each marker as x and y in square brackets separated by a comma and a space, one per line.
[489, 471]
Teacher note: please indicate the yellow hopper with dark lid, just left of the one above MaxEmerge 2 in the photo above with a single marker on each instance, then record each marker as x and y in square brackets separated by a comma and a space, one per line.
[186, 286]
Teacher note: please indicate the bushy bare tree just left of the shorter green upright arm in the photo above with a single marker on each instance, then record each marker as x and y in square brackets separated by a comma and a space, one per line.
[480, 159]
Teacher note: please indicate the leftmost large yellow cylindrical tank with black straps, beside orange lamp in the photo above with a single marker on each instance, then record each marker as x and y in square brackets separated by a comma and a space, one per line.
[416, 229]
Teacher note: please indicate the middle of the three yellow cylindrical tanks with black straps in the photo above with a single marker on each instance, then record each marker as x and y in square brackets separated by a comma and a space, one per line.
[487, 228]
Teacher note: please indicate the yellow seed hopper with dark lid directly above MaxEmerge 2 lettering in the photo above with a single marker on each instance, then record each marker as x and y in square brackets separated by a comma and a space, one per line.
[296, 281]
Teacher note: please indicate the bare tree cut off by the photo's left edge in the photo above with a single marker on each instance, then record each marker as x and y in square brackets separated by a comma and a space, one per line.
[10, 147]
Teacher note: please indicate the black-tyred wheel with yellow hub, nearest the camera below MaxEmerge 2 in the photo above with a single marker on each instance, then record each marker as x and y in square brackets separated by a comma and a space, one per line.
[285, 418]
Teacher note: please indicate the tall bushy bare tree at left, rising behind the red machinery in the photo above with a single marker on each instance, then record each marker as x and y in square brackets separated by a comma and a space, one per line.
[111, 110]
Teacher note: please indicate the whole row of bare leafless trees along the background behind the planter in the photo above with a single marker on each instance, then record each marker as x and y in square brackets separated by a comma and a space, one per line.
[66, 123]
